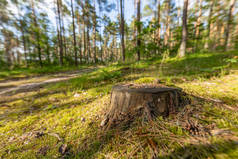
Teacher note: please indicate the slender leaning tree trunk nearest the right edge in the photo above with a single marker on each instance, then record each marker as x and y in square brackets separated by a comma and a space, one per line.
[229, 22]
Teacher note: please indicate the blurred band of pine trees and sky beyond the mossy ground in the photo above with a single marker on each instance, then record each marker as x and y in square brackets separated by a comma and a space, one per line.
[72, 32]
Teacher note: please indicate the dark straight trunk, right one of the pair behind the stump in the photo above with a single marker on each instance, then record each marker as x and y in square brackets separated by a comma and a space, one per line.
[138, 30]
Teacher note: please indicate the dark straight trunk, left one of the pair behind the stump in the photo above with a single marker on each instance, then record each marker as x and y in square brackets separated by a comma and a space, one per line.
[122, 31]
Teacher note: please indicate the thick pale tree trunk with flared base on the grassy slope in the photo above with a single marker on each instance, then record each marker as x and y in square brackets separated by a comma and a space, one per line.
[182, 49]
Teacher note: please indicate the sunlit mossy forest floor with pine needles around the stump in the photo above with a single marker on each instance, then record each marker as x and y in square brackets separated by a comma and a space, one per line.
[62, 119]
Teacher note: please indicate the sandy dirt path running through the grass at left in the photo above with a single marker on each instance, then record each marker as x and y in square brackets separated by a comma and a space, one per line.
[35, 83]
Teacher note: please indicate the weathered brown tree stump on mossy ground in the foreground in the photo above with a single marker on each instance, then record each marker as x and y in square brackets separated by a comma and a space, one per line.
[130, 101]
